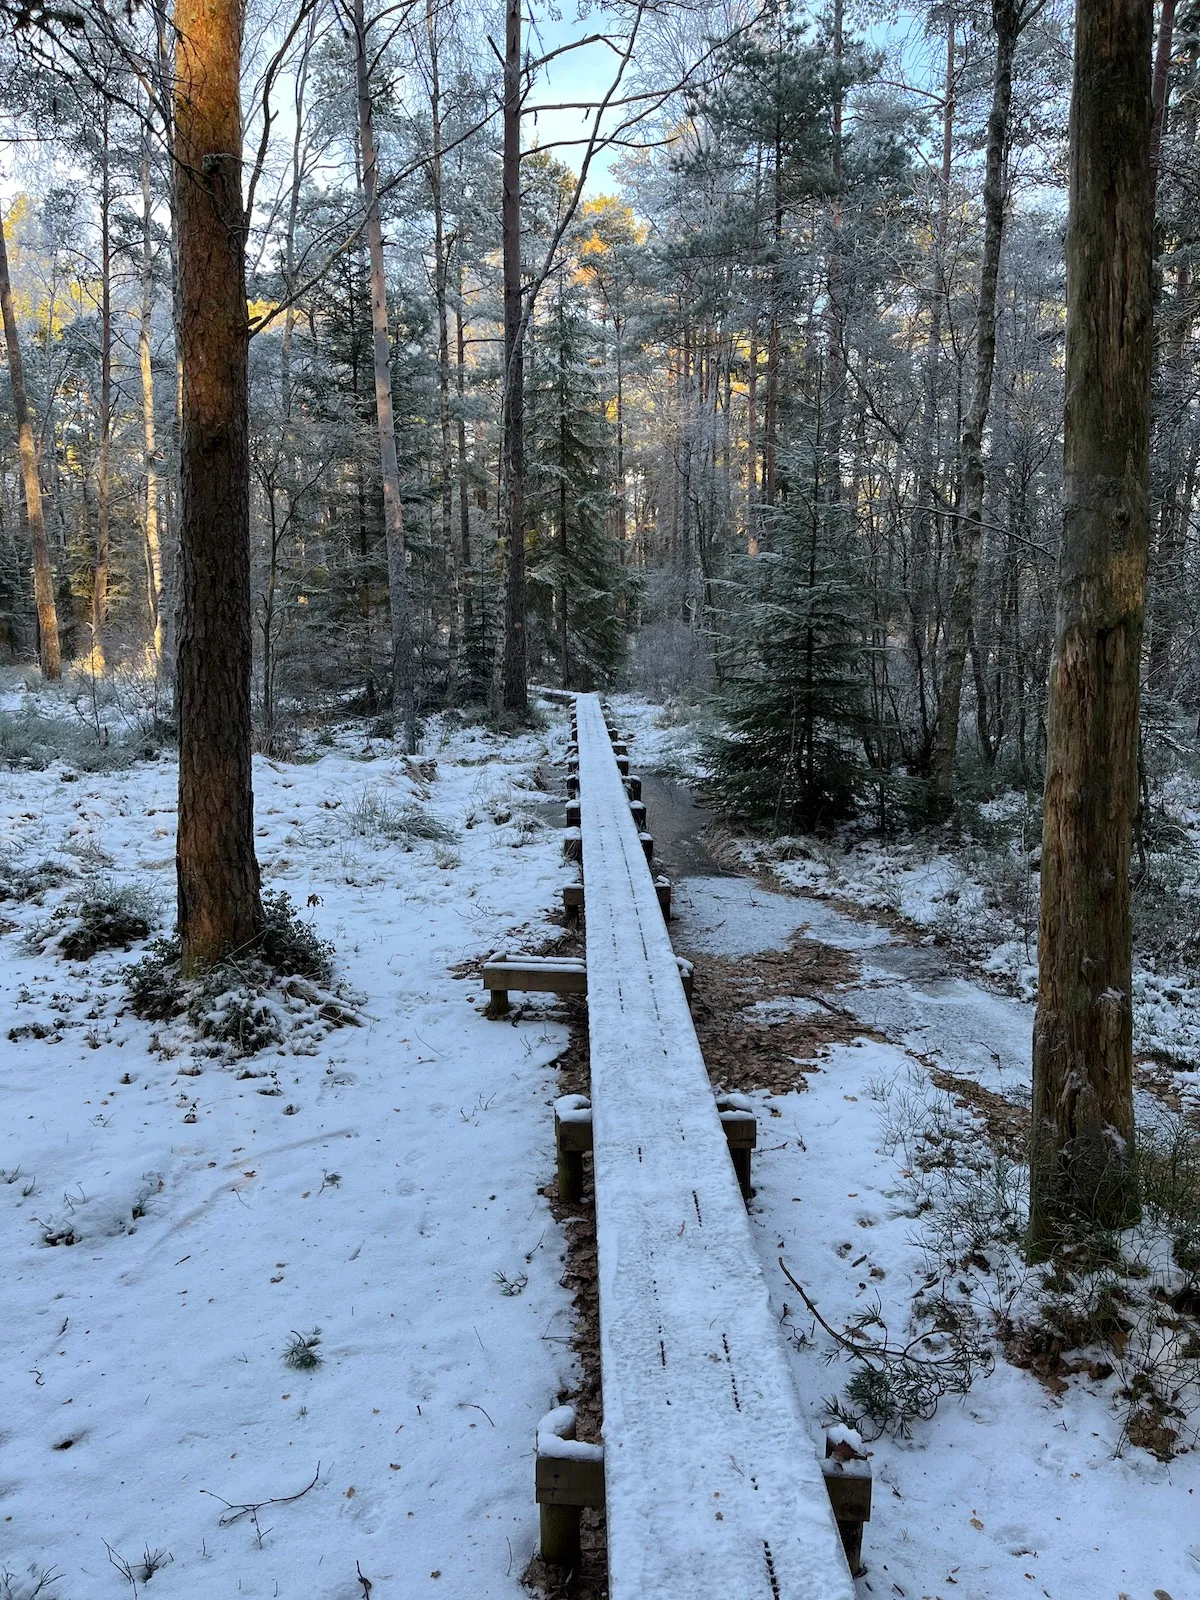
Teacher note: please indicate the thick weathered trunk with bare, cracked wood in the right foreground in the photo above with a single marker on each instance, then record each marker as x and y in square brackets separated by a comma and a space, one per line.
[1082, 1169]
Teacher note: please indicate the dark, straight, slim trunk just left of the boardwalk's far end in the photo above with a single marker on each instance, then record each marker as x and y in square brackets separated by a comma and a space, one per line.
[514, 689]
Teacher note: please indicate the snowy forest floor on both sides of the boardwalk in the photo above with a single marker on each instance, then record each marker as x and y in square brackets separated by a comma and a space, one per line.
[178, 1215]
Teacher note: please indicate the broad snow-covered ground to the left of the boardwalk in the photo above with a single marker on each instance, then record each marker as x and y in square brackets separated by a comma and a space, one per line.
[386, 1196]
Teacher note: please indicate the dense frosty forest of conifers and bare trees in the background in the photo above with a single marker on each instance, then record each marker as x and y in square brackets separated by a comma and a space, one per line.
[793, 372]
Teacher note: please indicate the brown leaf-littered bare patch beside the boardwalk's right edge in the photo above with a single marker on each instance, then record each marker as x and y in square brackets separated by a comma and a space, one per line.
[750, 1036]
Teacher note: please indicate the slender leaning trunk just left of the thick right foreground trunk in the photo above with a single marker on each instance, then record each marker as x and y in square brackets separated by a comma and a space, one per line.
[1009, 18]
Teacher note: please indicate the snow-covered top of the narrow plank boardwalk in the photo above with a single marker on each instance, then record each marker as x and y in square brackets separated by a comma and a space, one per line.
[713, 1482]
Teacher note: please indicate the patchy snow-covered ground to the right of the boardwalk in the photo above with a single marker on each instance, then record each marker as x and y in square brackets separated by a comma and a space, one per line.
[1009, 1490]
